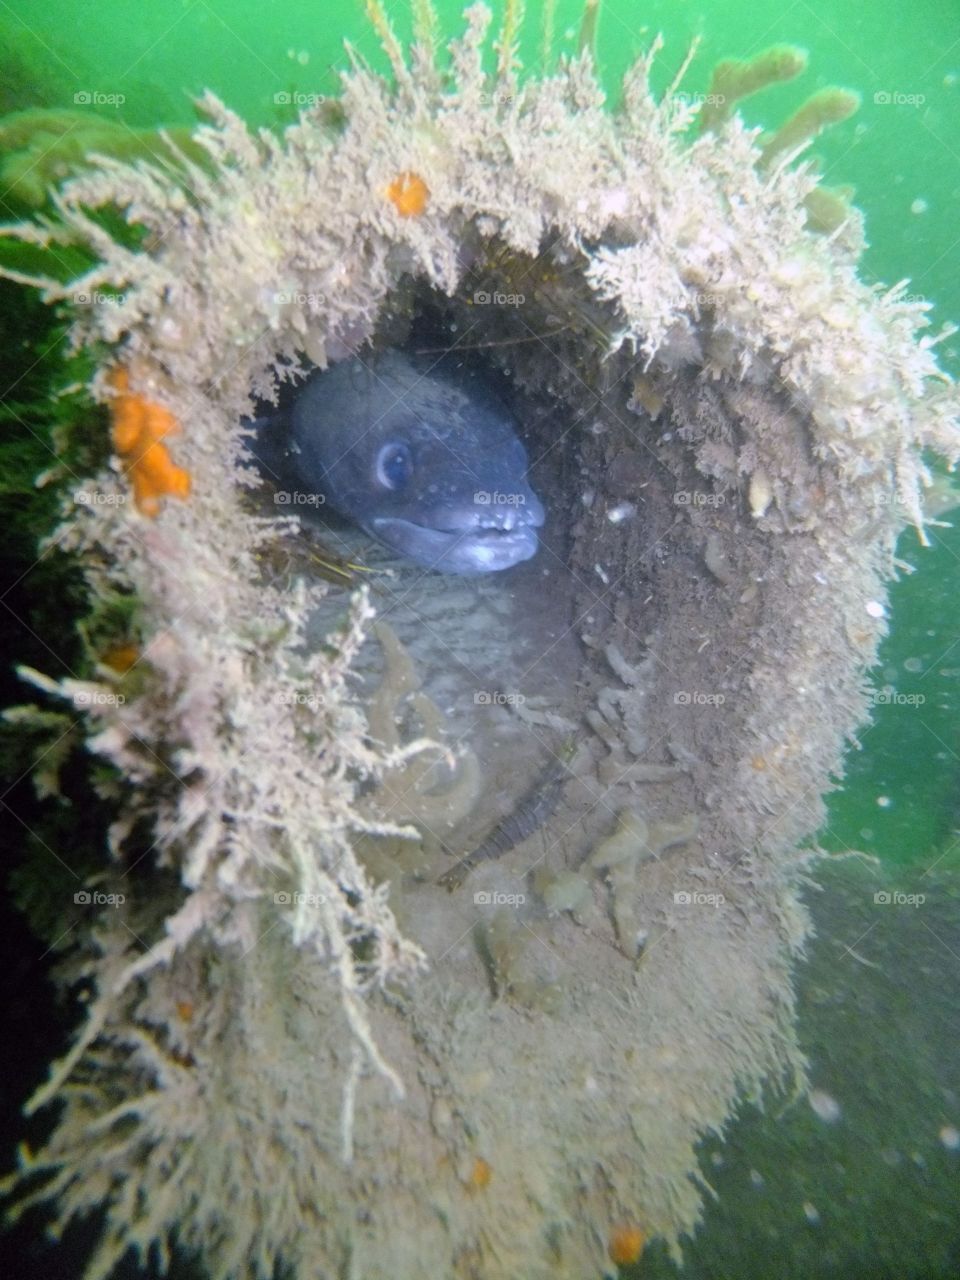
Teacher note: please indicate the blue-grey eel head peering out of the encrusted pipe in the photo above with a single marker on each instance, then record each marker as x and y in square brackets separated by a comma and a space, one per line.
[426, 460]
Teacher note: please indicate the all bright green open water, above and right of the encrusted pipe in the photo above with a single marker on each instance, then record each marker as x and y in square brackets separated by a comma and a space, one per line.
[902, 797]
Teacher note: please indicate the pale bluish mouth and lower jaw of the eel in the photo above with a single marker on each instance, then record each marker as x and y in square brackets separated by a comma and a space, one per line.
[476, 550]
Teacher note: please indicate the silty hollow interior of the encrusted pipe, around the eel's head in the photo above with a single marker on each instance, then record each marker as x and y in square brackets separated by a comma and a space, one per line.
[589, 696]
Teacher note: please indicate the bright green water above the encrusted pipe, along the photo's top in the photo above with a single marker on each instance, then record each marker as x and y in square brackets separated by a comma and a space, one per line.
[162, 56]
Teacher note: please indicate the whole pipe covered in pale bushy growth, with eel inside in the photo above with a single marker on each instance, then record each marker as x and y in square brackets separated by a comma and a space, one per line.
[488, 883]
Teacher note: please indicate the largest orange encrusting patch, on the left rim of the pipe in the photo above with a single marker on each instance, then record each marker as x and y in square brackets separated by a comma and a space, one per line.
[139, 431]
